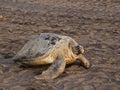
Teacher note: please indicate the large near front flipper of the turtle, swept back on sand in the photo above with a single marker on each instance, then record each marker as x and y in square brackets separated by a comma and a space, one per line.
[54, 70]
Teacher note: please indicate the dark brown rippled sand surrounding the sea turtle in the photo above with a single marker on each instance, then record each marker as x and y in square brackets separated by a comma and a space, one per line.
[95, 24]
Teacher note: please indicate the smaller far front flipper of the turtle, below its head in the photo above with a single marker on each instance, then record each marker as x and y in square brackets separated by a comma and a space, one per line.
[84, 61]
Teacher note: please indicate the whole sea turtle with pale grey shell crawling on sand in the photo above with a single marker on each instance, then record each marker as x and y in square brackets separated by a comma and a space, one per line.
[50, 48]
